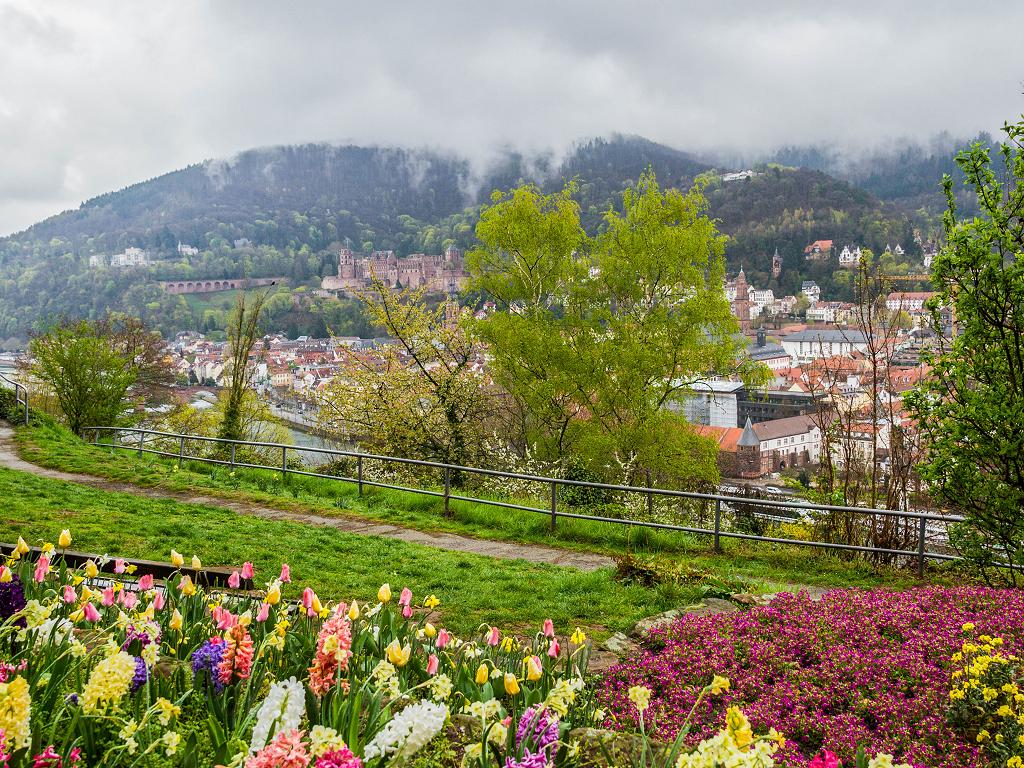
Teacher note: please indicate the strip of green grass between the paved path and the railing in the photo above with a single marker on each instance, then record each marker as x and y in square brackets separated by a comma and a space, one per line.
[769, 568]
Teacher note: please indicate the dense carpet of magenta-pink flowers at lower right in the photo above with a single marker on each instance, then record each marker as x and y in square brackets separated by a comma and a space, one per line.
[860, 668]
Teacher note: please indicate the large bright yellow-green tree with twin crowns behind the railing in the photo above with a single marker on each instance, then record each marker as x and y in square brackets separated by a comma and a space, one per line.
[602, 338]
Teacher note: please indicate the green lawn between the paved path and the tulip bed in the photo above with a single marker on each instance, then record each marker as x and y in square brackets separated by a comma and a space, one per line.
[474, 589]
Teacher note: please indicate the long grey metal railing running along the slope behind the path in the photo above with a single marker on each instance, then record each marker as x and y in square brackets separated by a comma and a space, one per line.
[144, 441]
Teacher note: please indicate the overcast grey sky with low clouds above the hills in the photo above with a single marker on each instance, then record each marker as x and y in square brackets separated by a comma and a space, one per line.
[96, 96]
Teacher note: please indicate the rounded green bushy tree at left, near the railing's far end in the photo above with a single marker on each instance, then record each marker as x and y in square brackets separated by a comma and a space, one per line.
[101, 371]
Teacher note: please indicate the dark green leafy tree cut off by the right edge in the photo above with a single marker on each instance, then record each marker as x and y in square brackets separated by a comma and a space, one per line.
[971, 410]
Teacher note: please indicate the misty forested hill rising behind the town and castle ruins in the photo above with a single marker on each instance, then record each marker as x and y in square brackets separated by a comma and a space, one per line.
[283, 212]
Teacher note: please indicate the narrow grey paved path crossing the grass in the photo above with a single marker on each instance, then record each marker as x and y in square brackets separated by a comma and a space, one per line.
[452, 542]
